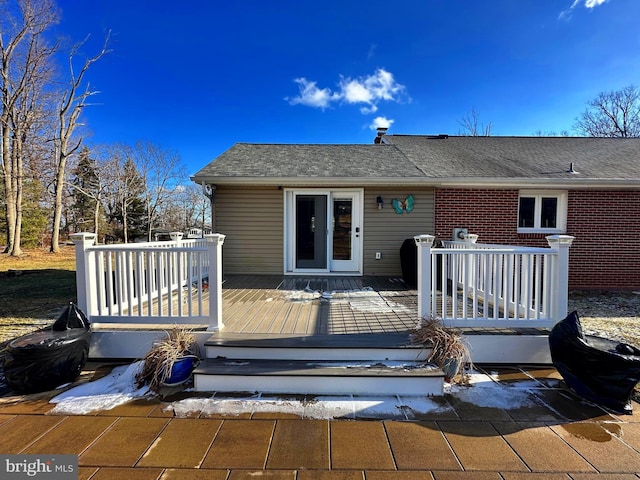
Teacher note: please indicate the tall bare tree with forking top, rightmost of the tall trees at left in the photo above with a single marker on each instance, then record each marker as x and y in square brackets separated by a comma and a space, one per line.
[72, 102]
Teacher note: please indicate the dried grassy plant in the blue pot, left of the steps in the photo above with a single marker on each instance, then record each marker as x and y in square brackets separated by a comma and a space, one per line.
[159, 361]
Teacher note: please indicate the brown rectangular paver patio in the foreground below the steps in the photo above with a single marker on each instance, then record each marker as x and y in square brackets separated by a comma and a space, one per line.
[557, 437]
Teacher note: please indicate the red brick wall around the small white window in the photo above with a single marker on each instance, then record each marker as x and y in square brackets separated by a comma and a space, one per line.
[606, 224]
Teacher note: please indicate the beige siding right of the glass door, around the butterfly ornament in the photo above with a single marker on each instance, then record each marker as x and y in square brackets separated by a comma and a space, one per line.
[385, 230]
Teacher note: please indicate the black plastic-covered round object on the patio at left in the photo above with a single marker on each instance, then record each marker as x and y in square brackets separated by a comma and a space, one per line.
[49, 358]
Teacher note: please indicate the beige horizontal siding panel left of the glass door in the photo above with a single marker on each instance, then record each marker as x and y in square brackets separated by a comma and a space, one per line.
[252, 220]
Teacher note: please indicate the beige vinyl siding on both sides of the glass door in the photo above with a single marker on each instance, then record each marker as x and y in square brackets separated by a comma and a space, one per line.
[252, 220]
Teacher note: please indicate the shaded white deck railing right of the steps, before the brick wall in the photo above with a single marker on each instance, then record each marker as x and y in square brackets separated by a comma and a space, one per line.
[483, 285]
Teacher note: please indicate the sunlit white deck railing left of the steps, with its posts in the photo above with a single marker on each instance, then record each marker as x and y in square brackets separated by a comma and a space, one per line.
[175, 282]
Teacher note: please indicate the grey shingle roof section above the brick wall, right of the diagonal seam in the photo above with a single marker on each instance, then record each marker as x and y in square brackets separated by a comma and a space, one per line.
[522, 157]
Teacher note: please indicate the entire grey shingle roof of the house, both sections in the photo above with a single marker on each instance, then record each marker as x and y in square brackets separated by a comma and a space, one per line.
[432, 160]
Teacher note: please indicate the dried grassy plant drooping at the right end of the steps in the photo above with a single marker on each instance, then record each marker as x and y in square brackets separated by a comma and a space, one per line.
[449, 351]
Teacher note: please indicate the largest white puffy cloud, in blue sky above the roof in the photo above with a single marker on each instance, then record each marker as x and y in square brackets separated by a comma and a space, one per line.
[368, 90]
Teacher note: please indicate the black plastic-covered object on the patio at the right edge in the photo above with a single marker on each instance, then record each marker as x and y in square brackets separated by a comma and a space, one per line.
[602, 371]
